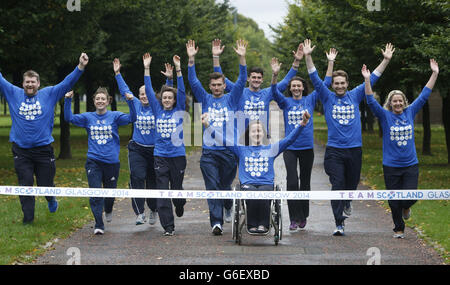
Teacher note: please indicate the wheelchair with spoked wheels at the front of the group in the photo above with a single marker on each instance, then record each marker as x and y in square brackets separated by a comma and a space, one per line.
[239, 222]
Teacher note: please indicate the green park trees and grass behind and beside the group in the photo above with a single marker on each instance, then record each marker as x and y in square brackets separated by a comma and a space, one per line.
[48, 36]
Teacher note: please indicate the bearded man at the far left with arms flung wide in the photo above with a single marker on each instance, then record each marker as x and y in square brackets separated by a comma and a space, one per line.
[32, 115]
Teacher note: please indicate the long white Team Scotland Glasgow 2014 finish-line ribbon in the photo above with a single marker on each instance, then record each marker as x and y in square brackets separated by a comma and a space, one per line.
[436, 194]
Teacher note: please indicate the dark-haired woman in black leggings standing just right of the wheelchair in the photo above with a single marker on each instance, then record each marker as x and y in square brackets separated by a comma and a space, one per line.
[301, 152]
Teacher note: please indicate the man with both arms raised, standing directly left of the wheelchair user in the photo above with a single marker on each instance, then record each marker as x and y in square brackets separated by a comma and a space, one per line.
[218, 164]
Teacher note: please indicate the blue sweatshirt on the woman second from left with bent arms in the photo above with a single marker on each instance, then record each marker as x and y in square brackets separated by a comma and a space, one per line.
[102, 130]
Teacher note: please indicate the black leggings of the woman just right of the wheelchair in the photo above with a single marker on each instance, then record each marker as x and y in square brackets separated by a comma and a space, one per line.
[298, 209]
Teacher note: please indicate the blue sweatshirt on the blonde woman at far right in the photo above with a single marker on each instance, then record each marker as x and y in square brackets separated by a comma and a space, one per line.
[399, 149]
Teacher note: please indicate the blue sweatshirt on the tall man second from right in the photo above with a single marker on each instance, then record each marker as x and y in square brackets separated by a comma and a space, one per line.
[342, 112]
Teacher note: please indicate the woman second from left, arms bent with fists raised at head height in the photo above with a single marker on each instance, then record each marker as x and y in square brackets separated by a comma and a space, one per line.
[102, 164]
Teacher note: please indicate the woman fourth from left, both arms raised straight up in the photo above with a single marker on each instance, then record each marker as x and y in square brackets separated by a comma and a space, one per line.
[169, 154]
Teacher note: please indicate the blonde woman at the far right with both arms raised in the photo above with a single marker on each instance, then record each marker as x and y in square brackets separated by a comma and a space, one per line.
[400, 163]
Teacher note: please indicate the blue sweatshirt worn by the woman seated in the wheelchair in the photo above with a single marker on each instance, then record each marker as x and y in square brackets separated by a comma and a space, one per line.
[256, 162]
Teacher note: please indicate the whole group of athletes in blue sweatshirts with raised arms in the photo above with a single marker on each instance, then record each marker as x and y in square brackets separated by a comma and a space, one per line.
[235, 121]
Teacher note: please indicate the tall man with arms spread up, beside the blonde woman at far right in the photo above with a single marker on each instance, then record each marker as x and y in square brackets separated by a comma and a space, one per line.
[343, 155]
